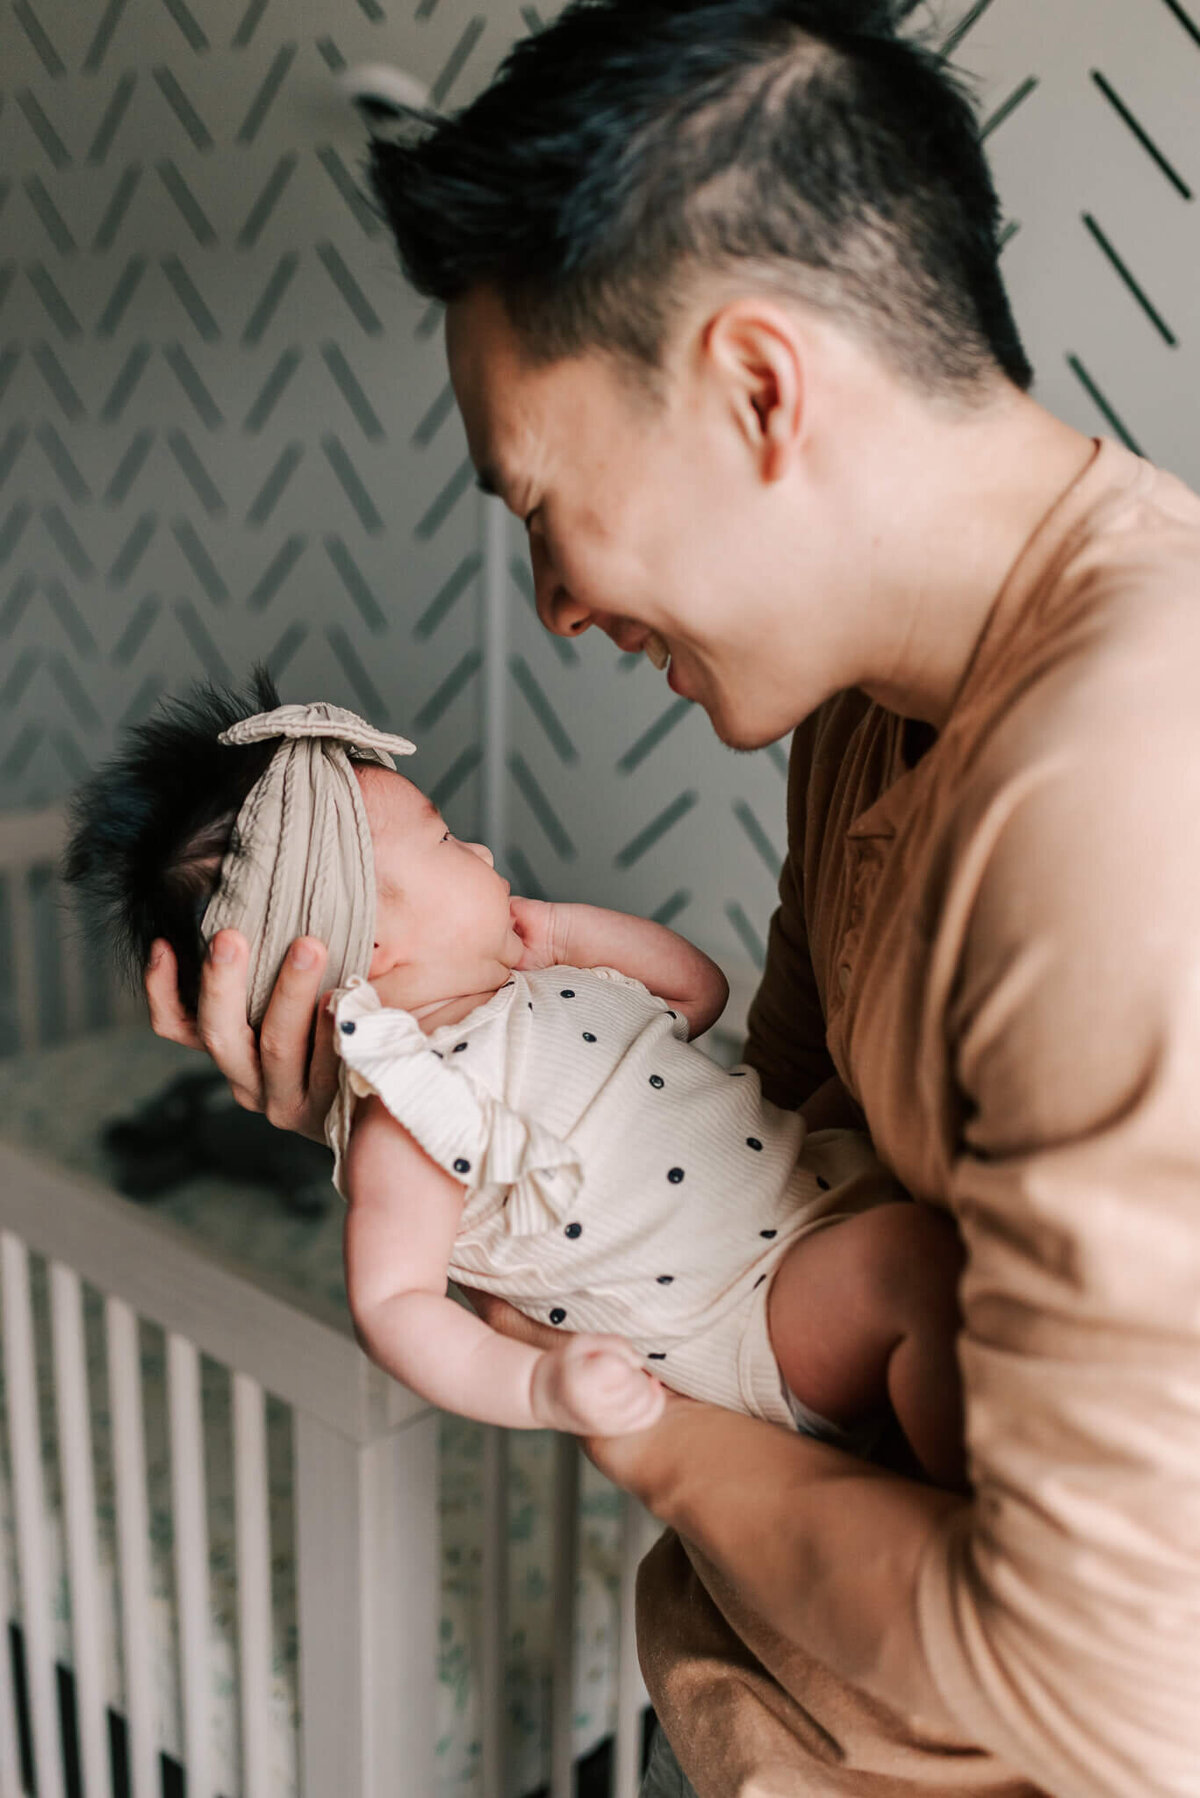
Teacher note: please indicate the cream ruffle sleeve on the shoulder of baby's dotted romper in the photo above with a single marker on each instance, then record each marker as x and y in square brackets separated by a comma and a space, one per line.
[460, 1125]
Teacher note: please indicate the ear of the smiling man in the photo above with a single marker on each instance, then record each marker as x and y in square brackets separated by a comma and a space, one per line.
[755, 353]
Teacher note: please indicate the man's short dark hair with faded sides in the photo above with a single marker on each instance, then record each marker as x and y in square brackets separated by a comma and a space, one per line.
[636, 145]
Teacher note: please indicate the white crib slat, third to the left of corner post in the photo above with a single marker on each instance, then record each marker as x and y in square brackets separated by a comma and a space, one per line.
[125, 1382]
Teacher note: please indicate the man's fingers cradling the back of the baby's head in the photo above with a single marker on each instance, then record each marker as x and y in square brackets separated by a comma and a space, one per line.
[291, 1071]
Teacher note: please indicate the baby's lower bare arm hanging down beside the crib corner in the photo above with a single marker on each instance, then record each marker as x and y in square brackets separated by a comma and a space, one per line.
[400, 1229]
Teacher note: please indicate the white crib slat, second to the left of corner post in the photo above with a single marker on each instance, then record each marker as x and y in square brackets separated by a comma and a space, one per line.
[192, 1556]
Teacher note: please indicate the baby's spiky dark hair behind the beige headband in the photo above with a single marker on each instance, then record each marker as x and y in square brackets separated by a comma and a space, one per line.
[150, 830]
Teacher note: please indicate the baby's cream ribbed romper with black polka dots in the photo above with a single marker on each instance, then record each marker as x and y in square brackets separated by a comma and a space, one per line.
[616, 1177]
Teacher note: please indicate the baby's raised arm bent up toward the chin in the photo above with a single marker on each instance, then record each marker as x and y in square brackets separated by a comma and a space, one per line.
[586, 936]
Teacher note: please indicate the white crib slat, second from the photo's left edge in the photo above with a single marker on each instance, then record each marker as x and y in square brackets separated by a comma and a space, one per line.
[75, 1438]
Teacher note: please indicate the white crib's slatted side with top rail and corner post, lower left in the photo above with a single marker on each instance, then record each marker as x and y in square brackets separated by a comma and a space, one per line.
[364, 1491]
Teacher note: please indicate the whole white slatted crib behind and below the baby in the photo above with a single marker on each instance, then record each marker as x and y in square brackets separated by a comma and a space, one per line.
[364, 1488]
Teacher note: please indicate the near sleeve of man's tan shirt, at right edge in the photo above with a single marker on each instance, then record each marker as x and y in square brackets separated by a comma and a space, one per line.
[1061, 1616]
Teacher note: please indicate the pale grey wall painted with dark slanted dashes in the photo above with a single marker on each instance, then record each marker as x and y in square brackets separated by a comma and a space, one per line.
[226, 429]
